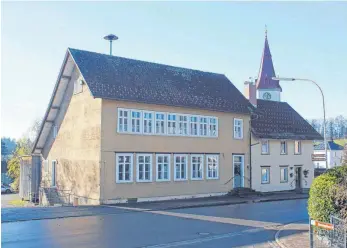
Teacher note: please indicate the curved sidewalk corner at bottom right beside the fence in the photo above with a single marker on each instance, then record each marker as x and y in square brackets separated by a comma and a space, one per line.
[294, 235]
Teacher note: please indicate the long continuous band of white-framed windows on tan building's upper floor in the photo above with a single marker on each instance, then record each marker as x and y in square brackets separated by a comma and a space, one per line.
[158, 123]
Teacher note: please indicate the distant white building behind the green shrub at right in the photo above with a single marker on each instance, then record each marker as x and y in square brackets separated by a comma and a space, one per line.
[334, 155]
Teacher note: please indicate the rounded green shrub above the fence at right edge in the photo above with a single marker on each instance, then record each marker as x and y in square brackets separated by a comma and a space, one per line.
[326, 194]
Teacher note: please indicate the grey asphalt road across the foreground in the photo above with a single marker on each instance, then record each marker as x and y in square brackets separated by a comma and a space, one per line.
[245, 225]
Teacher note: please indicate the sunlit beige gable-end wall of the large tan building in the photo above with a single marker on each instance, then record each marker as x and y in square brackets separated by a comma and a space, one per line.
[77, 146]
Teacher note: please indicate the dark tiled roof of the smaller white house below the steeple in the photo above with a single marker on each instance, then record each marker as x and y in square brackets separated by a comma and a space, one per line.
[278, 120]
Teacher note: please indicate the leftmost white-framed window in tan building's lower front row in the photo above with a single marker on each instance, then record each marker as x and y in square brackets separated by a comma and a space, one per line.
[124, 167]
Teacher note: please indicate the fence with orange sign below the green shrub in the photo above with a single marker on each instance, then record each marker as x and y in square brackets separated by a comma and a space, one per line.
[328, 235]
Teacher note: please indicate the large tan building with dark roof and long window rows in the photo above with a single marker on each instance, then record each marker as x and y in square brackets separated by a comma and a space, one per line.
[119, 129]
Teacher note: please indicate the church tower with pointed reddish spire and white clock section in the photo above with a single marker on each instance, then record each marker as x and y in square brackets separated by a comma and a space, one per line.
[267, 88]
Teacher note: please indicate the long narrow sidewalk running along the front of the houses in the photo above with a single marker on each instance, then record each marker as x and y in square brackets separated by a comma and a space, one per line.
[39, 213]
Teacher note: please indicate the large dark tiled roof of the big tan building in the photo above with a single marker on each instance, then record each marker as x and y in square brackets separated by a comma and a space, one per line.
[118, 78]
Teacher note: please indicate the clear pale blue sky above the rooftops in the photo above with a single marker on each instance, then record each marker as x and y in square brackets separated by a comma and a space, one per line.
[307, 40]
